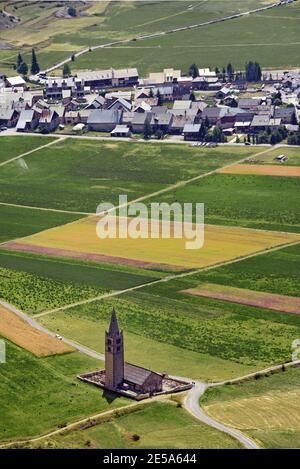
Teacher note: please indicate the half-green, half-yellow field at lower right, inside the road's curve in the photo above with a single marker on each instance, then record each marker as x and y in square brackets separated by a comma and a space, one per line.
[266, 409]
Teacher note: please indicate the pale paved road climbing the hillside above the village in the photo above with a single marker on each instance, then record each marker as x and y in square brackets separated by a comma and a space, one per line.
[158, 34]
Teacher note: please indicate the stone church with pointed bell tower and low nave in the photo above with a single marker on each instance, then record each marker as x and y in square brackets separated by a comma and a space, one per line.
[120, 375]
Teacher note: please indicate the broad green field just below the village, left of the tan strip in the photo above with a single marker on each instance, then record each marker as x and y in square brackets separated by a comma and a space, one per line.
[92, 172]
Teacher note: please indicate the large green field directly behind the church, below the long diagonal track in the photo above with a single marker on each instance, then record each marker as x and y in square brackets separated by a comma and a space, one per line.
[244, 338]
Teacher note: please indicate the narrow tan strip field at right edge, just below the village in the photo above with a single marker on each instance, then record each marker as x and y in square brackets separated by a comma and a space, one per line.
[263, 170]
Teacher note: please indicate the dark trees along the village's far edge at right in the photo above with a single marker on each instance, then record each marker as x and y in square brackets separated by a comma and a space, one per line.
[252, 72]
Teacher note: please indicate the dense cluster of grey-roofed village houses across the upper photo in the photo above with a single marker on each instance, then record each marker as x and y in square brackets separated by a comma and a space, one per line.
[120, 103]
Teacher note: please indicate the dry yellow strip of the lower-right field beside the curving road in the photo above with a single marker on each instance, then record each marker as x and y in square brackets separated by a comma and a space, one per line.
[271, 411]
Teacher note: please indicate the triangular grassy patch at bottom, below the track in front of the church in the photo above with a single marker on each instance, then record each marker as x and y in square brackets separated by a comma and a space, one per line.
[159, 425]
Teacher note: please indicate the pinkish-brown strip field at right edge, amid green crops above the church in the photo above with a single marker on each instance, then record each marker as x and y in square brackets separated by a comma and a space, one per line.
[286, 304]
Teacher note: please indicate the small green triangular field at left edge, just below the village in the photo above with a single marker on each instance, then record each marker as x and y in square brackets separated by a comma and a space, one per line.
[14, 146]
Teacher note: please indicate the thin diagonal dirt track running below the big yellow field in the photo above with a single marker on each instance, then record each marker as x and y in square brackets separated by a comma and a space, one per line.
[166, 279]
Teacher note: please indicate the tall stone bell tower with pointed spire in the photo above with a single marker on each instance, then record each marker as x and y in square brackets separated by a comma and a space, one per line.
[114, 354]
